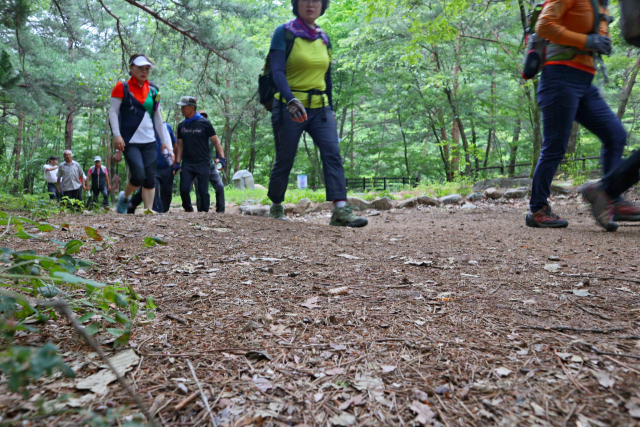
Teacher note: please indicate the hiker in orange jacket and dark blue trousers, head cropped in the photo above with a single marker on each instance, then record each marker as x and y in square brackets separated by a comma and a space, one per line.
[578, 35]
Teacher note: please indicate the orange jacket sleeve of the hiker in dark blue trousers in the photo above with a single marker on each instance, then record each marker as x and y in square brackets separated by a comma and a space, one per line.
[550, 25]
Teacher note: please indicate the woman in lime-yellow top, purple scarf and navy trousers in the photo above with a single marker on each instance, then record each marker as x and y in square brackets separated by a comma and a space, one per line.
[300, 58]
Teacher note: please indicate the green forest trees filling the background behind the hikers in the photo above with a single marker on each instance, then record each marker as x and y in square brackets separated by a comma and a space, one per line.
[426, 89]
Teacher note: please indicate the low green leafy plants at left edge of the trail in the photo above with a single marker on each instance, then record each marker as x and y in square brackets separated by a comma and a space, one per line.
[112, 309]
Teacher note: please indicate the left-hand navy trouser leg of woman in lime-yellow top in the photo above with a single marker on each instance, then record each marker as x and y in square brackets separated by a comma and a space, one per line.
[287, 135]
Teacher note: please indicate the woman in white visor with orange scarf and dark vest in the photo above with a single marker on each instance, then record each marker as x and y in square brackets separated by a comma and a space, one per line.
[135, 117]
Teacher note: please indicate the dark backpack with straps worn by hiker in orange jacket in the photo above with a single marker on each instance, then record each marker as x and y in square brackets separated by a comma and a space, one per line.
[538, 50]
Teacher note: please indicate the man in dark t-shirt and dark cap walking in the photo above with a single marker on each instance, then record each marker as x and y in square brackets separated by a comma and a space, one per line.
[194, 133]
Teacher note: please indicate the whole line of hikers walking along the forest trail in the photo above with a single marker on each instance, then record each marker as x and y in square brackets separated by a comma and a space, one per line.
[299, 64]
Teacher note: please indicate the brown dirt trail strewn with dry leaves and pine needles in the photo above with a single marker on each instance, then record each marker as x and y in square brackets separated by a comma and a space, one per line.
[432, 317]
